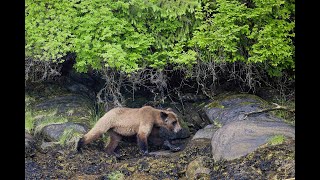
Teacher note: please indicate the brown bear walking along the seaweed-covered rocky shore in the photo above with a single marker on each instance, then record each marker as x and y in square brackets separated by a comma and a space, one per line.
[120, 122]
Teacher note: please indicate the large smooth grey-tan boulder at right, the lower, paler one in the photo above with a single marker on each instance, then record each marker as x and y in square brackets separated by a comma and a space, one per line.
[239, 138]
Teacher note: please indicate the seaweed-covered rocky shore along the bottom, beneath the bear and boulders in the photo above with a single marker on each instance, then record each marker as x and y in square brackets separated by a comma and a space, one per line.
[270, 162]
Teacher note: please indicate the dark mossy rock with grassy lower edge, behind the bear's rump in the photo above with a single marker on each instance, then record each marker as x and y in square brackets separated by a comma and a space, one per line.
[52, 101]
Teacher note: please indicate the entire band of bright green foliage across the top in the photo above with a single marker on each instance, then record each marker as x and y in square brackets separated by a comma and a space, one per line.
[131, 35]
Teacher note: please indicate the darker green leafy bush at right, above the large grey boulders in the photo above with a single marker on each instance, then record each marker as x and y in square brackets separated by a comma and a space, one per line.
[257, 31]
